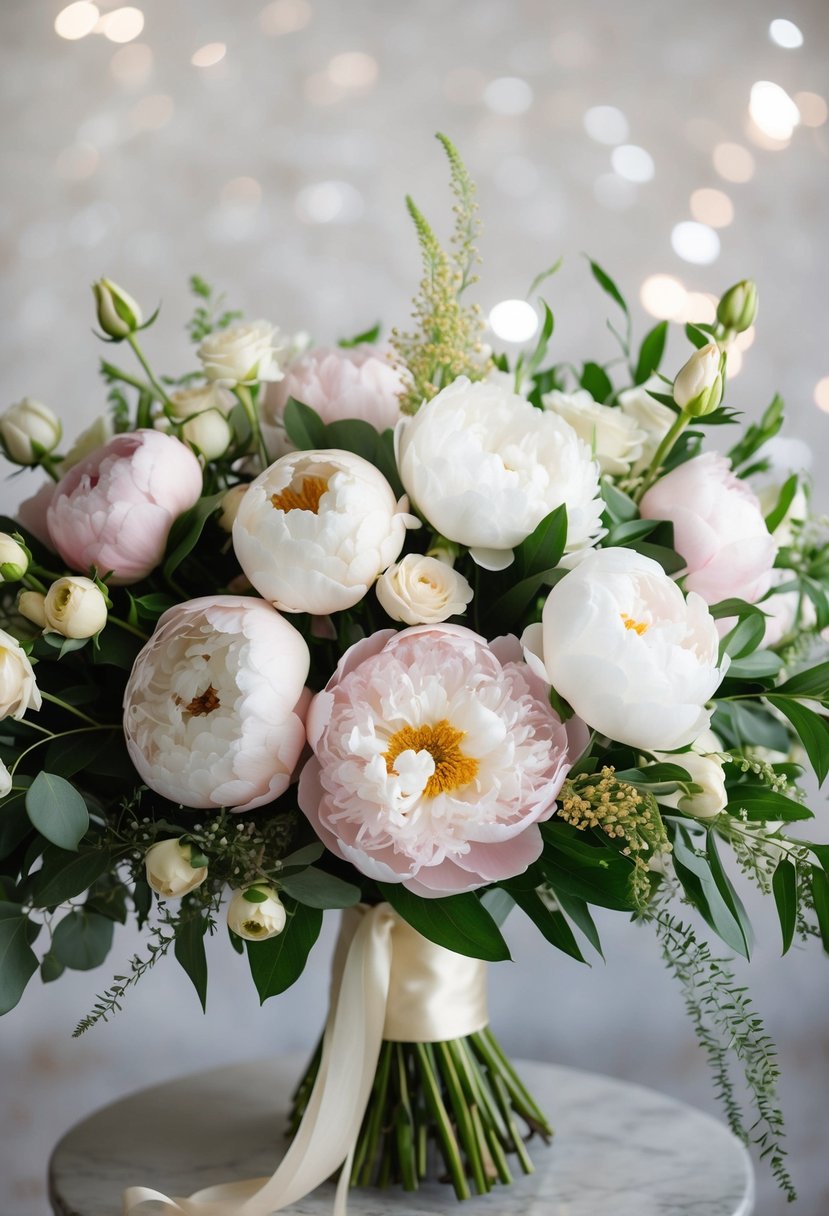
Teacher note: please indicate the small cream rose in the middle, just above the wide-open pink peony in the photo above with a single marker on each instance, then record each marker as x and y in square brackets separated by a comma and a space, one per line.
[422, 592]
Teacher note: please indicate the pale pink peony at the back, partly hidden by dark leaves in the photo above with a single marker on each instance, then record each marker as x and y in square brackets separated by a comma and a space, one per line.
[354, 384]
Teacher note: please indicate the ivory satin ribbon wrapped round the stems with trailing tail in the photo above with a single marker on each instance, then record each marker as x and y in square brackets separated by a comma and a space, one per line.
[387, 983]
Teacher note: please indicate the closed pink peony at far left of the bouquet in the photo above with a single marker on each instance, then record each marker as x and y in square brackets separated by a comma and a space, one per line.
[115, 510]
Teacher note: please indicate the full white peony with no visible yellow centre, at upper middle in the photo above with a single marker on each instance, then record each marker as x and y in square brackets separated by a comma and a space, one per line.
[486, 468]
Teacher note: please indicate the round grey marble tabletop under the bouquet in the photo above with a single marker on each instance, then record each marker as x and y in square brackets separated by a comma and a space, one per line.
[619, 1151]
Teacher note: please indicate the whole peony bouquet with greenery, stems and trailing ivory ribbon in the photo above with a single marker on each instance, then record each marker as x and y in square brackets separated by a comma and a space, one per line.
[426, 634]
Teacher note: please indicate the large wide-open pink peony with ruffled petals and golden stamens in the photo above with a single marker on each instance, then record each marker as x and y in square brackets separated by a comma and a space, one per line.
[436, 756]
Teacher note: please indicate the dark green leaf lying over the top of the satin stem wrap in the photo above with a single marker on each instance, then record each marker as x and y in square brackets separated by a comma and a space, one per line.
[458, 922]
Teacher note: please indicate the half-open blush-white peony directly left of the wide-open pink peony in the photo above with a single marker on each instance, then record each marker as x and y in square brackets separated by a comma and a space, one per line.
[211, 707]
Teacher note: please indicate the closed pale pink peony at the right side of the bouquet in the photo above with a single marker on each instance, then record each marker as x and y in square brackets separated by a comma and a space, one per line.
[719, 530]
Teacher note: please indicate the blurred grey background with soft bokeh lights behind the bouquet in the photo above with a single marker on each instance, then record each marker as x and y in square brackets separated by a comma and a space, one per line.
[268, 148]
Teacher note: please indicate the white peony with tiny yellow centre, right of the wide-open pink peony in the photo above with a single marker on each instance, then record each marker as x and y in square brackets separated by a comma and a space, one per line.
[635, 658]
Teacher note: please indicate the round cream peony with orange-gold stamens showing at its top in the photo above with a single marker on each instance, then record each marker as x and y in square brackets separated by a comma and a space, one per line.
[315, 530]
